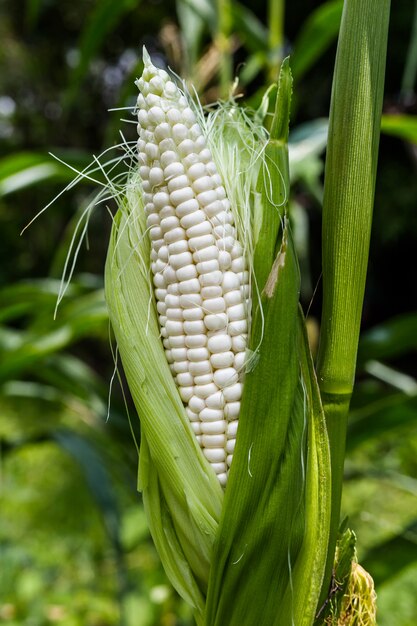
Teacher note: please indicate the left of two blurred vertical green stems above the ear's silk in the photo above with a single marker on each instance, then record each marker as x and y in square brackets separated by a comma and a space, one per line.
[224, 45]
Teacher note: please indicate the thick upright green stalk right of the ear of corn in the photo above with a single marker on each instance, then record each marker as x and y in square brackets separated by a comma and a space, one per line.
[351, 165]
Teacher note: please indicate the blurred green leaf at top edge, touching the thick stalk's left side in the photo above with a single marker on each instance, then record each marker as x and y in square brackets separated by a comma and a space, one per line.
[317, 33]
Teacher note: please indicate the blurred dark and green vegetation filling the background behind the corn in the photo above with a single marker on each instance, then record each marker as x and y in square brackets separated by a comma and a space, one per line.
[74, 545]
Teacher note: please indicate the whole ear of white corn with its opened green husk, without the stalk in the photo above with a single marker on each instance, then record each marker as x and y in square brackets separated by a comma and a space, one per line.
[237, 555]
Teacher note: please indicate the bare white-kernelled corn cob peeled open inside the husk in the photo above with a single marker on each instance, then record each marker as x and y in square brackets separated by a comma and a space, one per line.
[199, 270]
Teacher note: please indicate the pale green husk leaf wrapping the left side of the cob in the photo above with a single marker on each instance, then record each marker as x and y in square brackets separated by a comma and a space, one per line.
[181, 493]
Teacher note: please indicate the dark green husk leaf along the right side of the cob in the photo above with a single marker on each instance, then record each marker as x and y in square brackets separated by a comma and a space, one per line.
[270, 551]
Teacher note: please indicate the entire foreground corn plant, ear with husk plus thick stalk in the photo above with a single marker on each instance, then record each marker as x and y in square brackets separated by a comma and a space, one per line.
[242, 436]
